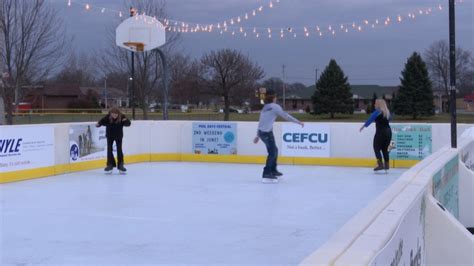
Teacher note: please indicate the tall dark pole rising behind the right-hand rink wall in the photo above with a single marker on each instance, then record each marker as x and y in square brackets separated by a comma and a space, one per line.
[452, 64]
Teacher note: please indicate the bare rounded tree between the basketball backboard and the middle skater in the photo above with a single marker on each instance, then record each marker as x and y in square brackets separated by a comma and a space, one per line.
[227, 71]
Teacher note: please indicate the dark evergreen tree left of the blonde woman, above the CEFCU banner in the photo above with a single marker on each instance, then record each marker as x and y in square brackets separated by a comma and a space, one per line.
[333, 92]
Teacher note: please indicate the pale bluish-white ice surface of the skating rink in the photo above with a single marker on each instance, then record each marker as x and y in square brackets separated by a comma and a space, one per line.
[181, 213]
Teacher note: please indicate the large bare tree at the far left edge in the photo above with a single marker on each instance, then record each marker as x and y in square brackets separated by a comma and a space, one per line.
[33, 39]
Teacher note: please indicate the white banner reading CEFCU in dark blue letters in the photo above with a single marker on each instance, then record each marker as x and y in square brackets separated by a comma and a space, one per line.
[312, 140]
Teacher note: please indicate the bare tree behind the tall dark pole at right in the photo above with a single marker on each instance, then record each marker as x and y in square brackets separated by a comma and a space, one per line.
[437, 60]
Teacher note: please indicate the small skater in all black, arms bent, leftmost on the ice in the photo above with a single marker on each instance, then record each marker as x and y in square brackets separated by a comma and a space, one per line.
[114, 123]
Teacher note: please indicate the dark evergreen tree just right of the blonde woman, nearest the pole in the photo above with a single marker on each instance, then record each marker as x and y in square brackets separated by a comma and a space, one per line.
[415, 96]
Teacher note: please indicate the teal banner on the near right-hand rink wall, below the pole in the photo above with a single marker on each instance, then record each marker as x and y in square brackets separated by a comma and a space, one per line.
[446, 186]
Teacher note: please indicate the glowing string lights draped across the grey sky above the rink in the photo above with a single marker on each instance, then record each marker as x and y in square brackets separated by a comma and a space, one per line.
[231, 26]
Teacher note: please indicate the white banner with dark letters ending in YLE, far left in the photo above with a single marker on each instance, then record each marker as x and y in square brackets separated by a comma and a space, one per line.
[23, 148]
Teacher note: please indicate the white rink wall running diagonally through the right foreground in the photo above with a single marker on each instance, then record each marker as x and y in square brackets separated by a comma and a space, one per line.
[380, 228]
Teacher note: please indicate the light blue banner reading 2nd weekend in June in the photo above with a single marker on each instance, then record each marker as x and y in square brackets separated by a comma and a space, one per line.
[214, 138]
